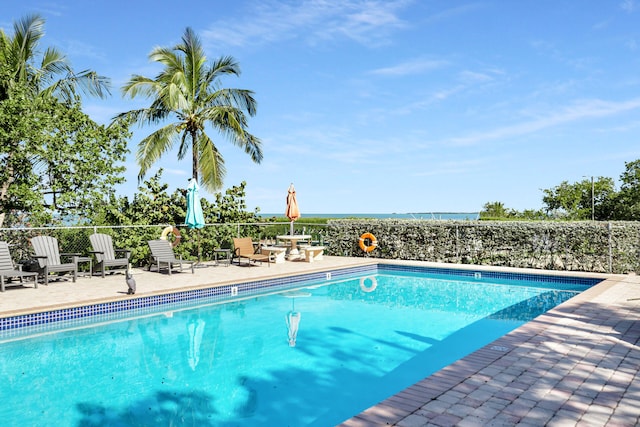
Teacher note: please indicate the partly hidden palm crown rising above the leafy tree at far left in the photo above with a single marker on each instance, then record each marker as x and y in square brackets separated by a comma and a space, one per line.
[52, 76]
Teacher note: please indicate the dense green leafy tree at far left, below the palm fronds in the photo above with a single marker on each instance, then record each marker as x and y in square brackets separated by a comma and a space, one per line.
[56, 162]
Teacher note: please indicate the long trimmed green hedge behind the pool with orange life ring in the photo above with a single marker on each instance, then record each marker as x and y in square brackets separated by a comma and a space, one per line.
[607, 247]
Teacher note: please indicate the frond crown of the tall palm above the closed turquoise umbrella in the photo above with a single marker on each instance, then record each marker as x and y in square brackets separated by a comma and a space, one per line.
[189, 89]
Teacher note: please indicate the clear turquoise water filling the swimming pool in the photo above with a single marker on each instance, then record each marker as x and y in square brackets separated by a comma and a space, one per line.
[358, 341]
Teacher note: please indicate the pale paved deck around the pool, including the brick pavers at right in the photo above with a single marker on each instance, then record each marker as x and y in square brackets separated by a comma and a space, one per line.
[574, 365]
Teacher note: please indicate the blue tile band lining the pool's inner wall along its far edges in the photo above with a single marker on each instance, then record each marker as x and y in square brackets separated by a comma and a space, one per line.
[41, 322]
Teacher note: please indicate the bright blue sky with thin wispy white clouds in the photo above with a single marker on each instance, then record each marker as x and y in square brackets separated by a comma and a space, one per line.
[387, 106]
